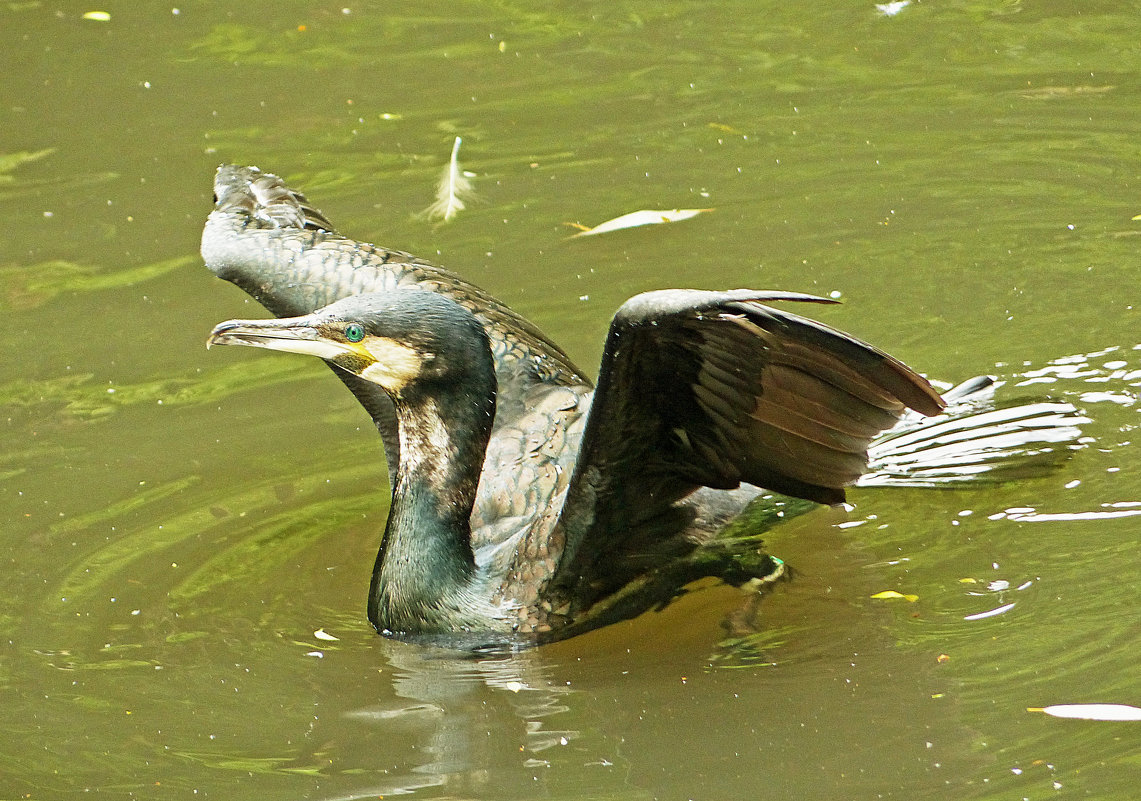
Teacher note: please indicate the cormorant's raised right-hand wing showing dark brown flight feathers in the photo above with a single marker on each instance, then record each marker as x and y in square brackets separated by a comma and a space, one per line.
[714, 390]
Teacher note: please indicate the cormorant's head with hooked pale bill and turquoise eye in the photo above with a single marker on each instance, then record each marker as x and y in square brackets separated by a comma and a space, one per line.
[399, 341]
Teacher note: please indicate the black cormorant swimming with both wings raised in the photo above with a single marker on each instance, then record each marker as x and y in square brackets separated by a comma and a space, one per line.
[529, 505]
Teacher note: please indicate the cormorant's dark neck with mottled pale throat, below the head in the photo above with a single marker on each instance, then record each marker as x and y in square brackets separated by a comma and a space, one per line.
[426, 573]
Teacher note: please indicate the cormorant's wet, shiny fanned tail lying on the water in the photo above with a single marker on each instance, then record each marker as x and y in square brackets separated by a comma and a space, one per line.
[975, 441]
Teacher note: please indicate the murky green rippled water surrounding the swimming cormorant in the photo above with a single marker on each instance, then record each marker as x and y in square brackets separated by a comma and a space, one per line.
[179, 524]
